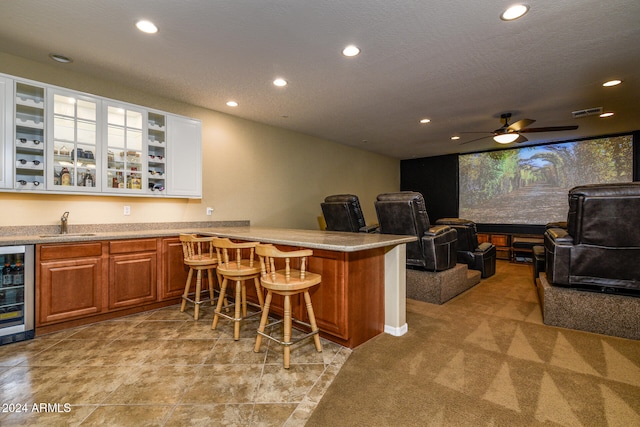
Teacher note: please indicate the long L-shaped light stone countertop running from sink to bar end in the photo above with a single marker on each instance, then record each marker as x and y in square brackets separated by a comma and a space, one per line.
[313, 239]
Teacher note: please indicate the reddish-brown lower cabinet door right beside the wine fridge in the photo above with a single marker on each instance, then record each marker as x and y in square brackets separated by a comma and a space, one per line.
[68, 289]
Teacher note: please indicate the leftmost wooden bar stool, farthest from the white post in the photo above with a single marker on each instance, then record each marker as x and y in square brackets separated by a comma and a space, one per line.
[199, 256]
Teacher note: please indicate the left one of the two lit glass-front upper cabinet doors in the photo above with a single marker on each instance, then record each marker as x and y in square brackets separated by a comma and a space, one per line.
[75, 143]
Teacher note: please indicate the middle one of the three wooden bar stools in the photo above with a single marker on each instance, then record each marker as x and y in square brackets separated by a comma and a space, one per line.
[232, 267]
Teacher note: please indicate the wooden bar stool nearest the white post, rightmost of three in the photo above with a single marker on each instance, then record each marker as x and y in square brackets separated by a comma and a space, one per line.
[286, 282]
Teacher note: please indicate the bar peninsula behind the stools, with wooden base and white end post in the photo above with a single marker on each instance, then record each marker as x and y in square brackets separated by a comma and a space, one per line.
[363, 290]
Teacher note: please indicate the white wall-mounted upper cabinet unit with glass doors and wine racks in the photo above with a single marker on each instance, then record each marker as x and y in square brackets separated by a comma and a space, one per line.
[57, 140]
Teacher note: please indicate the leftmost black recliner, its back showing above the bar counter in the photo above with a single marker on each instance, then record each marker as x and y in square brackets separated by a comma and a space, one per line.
[342, 212]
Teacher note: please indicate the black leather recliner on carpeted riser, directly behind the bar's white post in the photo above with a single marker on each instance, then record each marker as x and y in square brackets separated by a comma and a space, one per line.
[405, 213]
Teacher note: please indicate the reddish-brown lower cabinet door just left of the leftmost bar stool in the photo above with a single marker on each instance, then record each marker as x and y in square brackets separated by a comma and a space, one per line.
[174, 272]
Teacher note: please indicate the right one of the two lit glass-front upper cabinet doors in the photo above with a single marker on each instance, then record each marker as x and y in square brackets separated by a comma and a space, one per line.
[126, 162]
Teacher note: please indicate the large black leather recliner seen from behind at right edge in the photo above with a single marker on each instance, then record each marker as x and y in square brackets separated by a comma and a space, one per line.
[600, 248]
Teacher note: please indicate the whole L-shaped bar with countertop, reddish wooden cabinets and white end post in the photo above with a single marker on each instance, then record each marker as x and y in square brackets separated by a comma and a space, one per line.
[362, 294]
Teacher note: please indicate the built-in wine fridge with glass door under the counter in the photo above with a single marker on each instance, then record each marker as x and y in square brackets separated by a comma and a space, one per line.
[17, 299]
